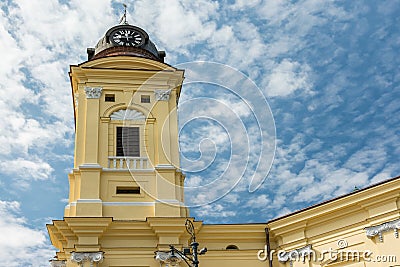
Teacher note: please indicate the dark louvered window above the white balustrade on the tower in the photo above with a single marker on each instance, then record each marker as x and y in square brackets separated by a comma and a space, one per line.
[128, 143]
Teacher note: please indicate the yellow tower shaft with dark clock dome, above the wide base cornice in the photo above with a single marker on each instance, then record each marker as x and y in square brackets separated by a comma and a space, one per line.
[126, 148]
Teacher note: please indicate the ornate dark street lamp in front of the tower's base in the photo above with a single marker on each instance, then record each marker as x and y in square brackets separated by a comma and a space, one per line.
[189, 255]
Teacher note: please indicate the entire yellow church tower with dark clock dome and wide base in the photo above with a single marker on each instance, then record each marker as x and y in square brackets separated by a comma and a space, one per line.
[126, 187]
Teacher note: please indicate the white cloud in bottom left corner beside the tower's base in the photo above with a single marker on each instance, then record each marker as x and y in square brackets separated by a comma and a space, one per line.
[21, 245]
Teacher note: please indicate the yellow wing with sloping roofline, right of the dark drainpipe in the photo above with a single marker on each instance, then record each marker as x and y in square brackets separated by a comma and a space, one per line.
[359, 229]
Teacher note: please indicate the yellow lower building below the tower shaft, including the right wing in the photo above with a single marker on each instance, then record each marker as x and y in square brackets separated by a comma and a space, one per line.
[360, 229]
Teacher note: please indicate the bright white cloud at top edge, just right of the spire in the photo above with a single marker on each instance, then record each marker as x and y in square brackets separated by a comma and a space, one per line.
[177, 24]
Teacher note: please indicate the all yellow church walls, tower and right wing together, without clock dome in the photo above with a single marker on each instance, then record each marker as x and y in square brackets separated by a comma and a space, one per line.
[122, 209]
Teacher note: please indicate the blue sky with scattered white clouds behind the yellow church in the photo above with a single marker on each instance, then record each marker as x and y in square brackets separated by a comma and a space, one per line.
[329, 71]
